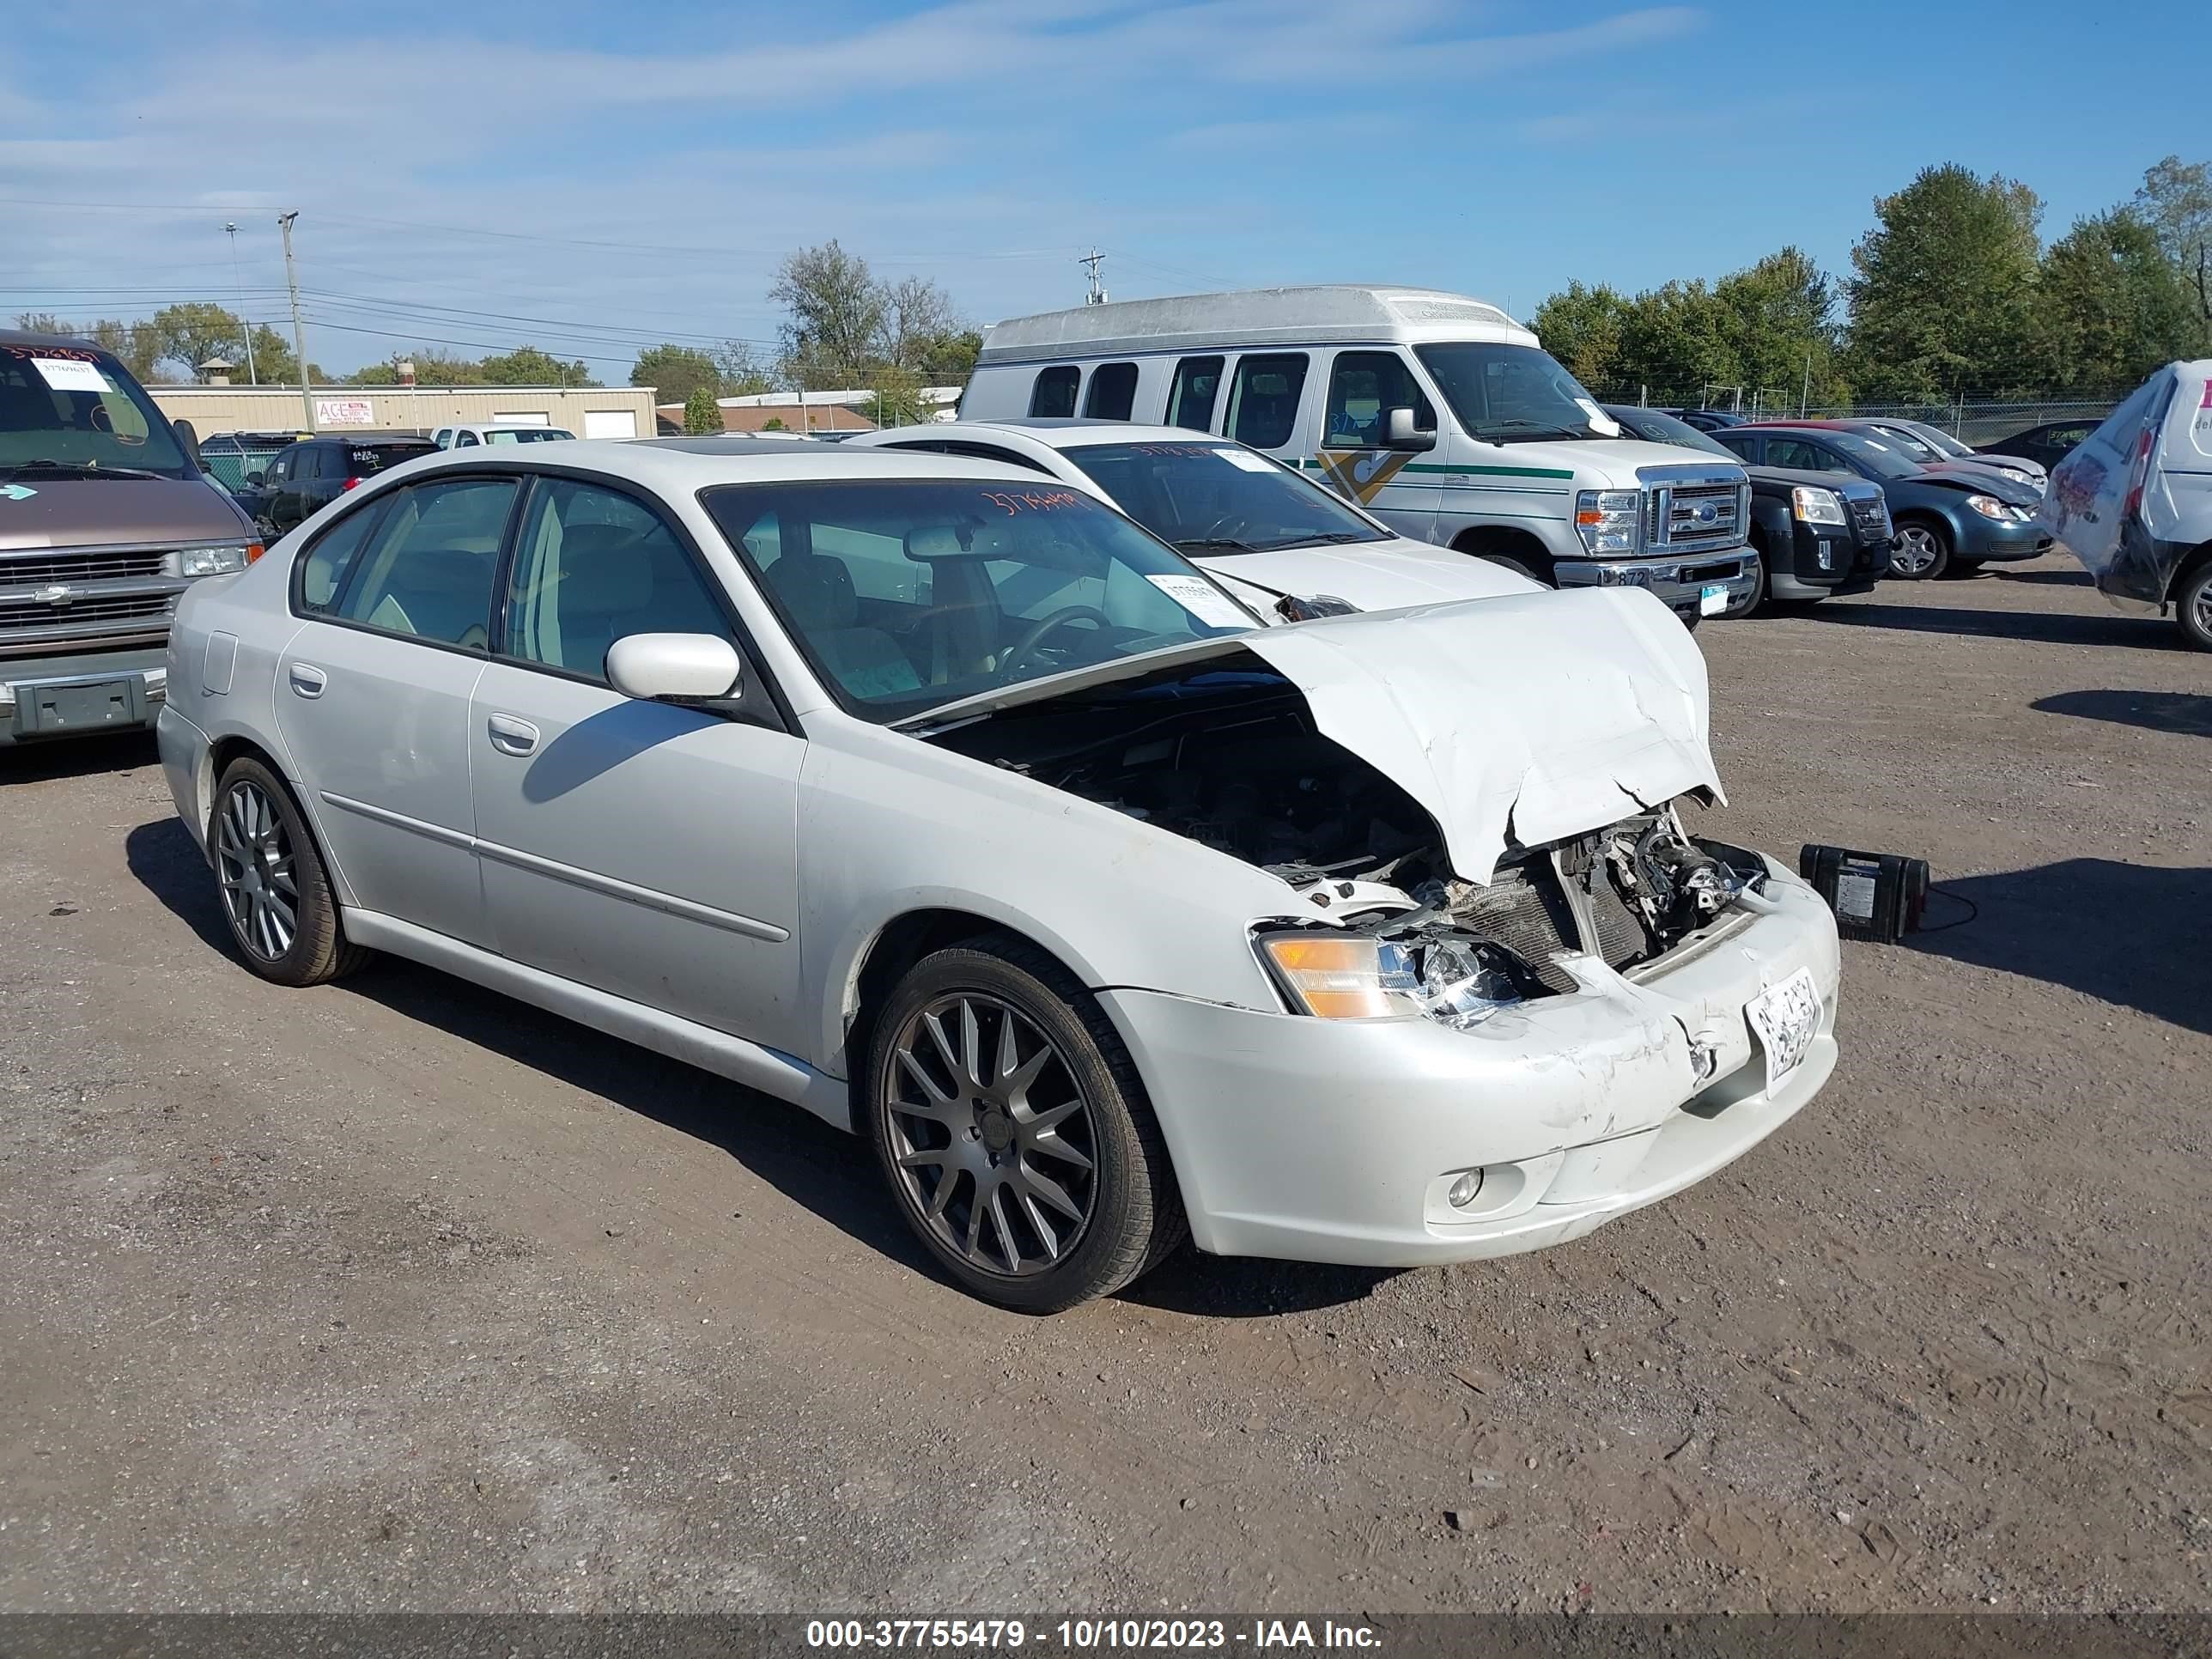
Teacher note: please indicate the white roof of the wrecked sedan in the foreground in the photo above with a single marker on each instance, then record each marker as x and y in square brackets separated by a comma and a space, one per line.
[687, 466]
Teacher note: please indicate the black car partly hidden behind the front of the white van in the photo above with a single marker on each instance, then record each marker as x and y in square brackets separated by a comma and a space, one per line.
[1815, 534]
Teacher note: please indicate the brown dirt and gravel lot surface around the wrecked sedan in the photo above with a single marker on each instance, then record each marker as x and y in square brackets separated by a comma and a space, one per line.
[397, 1295]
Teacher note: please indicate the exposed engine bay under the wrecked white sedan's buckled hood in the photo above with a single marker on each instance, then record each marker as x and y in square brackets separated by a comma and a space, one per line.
[1233, 762]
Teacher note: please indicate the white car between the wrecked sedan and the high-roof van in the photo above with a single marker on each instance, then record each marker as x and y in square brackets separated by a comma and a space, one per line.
[1275, 539]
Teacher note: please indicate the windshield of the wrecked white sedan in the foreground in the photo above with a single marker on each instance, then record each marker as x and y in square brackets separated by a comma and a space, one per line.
[915, 594]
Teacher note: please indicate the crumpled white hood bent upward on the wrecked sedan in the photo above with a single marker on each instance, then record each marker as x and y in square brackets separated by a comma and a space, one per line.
[1532, 718]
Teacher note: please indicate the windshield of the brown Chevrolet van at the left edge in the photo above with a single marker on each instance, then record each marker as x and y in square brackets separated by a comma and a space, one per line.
[74, 410]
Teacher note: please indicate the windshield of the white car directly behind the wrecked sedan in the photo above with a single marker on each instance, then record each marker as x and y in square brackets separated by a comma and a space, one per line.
[1220, 499]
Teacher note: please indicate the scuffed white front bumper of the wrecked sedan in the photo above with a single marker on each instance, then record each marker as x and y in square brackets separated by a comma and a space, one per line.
[1339, 1140]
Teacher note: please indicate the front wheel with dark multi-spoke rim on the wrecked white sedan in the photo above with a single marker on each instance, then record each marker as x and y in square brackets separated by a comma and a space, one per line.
[1131, 1207]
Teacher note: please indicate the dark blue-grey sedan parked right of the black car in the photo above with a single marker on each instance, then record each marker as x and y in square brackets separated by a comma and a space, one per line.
[1948, 519]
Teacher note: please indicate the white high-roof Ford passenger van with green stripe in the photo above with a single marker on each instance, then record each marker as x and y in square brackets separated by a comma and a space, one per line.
[1437, 413]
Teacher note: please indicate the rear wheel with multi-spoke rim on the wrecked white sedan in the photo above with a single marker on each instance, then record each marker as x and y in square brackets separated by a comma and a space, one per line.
[260, 842]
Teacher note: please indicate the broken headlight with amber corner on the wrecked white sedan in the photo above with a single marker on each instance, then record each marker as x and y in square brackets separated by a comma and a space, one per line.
[1452, 979]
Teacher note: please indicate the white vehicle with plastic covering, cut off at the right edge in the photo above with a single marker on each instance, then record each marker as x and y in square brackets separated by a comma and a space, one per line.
[2136, 499]
